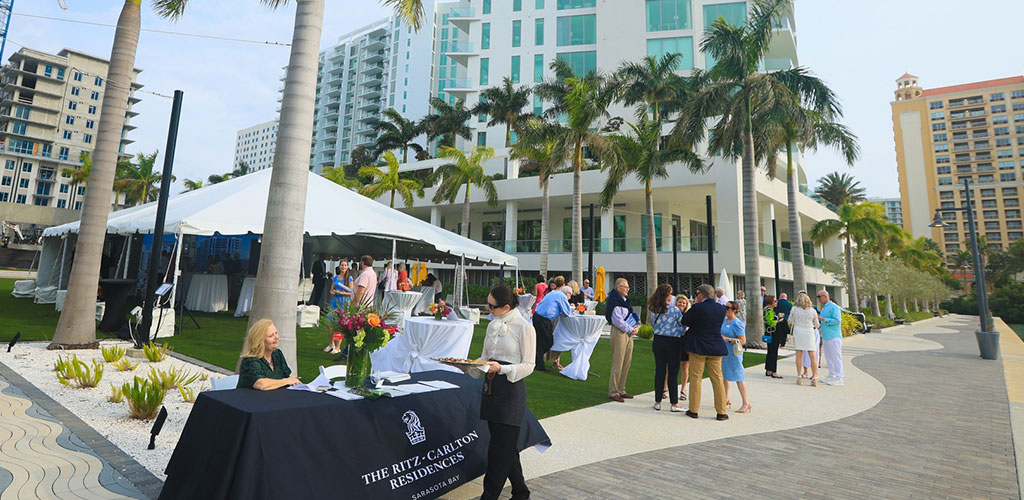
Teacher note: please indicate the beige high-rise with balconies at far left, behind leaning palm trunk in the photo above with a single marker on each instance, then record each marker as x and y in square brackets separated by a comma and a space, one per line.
[50, 115]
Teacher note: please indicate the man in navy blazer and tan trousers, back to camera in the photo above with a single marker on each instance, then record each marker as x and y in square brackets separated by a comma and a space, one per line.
[706, 347]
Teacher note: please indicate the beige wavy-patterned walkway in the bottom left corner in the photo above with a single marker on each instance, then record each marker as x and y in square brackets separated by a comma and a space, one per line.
[41, 459]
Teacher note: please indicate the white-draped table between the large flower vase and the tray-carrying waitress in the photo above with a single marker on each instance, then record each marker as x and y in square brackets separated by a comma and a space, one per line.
[424, 339]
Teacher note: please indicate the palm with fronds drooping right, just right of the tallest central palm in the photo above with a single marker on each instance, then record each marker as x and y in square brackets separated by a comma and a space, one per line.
[792, 127]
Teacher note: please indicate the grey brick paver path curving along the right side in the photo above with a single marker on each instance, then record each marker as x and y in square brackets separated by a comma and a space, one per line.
[943, 431]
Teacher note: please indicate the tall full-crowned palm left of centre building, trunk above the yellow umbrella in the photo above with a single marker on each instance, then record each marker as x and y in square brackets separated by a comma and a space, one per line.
[582, 102]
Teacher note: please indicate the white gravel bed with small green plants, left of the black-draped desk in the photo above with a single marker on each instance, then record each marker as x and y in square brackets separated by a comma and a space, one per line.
[32, 361]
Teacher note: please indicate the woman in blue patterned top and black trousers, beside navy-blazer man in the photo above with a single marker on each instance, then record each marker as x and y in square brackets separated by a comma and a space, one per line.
[668, 346]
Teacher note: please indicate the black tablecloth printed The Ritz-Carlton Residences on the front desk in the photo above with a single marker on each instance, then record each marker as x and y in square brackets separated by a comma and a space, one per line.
[293, 444]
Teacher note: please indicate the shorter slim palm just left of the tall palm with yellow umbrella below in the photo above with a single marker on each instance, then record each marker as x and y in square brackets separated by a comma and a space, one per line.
[537, 148]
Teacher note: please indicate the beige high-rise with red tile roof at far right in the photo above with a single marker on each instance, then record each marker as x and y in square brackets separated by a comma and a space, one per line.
[945, 136]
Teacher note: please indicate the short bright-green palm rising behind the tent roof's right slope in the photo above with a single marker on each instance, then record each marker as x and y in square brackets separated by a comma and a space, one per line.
[462, 172]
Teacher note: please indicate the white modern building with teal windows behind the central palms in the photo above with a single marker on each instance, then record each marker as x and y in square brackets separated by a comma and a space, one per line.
[520, 39]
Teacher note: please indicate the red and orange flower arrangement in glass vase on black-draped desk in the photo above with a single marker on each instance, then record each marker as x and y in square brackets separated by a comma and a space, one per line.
[363, 330]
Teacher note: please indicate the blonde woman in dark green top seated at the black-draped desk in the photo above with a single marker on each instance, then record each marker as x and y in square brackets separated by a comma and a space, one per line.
[264, 366]
